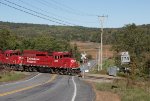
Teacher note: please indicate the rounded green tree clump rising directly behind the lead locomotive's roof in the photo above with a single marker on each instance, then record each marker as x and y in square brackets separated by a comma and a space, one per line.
[48, 43]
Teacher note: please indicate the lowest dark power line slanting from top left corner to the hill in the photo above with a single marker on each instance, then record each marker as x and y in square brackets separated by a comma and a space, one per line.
[32, 14]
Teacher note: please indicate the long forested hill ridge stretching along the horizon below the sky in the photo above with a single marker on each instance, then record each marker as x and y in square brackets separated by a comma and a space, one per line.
[68, 33]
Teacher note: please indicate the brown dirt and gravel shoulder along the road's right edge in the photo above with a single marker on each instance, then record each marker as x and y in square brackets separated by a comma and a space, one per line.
[93, 79]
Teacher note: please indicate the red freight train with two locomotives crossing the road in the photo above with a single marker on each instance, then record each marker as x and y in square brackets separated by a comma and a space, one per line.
[41, 61]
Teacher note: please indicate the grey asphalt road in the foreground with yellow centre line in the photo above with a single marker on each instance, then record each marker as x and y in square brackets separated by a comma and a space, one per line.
[43, 88]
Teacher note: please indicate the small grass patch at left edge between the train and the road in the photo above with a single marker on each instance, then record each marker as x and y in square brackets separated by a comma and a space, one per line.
[10, 76]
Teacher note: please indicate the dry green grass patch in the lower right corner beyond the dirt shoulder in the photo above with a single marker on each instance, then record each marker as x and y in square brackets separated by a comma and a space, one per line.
[130, 93]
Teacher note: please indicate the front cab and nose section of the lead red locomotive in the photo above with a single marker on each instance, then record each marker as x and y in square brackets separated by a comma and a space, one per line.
[64, 63]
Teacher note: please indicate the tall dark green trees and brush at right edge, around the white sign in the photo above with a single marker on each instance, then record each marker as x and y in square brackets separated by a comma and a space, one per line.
[136, 41]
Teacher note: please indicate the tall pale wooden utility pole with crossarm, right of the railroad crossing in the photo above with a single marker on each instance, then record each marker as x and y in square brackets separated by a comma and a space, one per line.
[102, 18]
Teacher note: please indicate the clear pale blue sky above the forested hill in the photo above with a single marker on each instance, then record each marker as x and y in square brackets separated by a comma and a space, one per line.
[76, 12]
